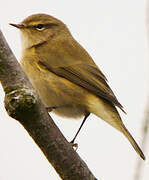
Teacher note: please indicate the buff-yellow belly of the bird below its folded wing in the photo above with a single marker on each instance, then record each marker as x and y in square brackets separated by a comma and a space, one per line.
[54, 91]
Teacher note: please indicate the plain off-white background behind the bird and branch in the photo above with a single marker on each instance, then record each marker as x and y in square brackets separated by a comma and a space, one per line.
[115, 33]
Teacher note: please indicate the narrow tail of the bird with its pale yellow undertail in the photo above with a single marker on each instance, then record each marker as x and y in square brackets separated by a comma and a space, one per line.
[108, 113]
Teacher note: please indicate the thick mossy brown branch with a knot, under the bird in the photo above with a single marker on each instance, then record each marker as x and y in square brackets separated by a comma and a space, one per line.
[24, 105]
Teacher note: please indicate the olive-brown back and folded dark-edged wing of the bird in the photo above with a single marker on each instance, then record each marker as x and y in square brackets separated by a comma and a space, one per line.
[73, 63]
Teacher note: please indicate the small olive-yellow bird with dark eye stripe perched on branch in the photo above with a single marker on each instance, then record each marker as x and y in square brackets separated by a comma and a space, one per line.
[64, 74]
